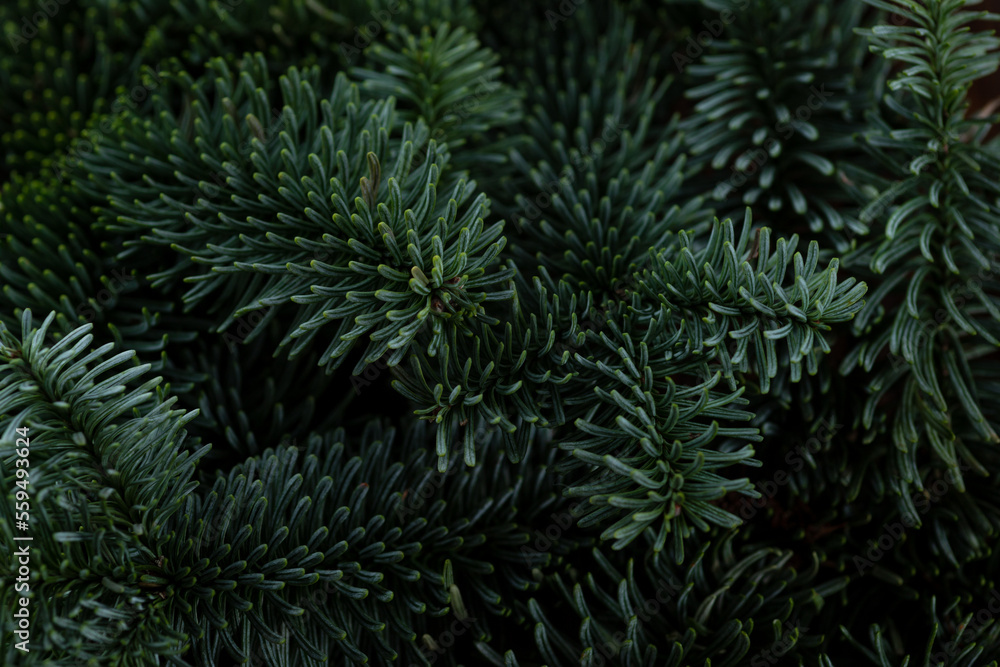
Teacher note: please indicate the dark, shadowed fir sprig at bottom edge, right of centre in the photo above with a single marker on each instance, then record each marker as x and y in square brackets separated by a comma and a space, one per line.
[650, 611]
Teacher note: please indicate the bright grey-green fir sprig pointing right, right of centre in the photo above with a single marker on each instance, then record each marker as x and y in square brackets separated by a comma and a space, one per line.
[738, 298]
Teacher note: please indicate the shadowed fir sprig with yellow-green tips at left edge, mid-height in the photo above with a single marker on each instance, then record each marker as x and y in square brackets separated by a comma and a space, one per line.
[51, 262]
